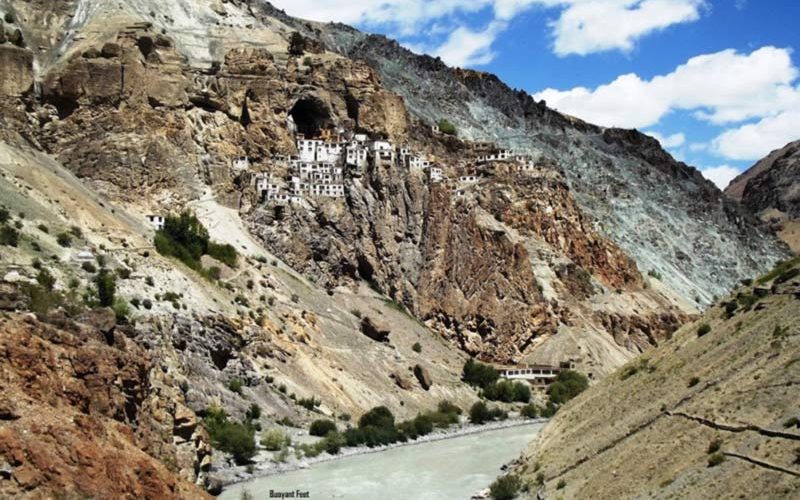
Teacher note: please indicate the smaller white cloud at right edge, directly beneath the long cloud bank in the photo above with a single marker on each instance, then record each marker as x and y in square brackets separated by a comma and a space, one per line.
[755, 140]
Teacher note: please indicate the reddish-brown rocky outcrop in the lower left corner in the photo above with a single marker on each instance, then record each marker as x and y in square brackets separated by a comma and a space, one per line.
[83, 414]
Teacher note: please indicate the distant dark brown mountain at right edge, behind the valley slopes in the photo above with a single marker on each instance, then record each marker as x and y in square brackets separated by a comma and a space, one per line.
[770, 189]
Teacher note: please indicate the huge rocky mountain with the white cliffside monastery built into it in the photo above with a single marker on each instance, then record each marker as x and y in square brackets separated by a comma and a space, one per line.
[566, 241]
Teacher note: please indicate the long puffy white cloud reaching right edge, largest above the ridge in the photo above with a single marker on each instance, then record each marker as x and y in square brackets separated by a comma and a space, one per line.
[723, 87]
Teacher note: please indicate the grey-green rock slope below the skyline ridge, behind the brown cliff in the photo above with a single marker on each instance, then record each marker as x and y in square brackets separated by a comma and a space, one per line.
[662, 213]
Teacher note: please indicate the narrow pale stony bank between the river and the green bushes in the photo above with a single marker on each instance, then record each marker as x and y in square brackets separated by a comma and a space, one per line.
[264, 466]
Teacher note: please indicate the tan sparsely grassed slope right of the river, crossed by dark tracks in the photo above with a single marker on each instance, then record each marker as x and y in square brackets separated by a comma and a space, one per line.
[635, 436]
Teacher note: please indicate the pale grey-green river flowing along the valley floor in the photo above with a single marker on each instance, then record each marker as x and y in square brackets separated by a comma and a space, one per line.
[450, 469]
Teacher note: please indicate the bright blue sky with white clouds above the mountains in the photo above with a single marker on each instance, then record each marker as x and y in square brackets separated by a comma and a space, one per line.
[717, 82]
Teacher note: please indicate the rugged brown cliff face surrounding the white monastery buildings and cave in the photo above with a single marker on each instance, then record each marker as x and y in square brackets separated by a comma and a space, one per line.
[127, 104]
